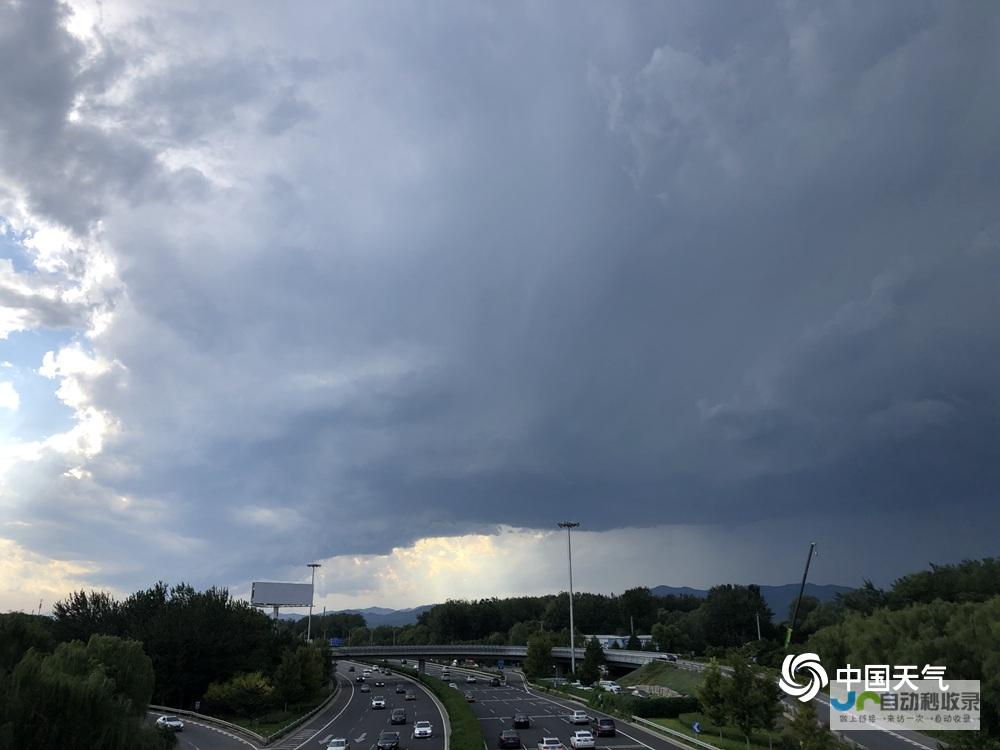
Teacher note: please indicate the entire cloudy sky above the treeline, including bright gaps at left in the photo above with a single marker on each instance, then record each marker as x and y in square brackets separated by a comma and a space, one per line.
[398, 286]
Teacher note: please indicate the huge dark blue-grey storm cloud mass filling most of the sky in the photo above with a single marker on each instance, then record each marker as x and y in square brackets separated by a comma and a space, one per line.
[472, 265]
